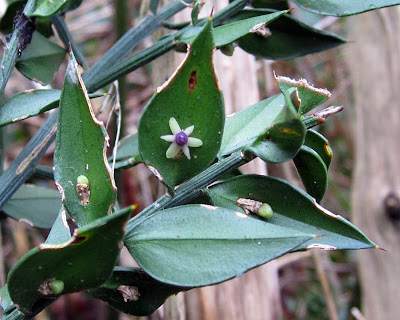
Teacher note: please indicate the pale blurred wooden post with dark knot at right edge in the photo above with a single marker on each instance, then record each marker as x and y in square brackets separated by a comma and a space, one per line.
[375, 73]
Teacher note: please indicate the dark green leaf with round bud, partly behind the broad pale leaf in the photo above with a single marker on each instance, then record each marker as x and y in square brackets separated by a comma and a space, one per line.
[293, 209]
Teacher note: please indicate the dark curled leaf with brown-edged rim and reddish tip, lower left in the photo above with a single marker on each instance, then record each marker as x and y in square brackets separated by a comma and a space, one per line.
[84, 262]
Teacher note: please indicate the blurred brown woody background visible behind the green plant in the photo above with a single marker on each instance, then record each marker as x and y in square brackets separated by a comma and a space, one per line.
[362, 75]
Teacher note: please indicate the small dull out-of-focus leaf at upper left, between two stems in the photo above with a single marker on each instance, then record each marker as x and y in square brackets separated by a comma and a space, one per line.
[41, 59]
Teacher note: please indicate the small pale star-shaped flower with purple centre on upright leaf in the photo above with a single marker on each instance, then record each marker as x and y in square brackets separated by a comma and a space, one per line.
[180, 140]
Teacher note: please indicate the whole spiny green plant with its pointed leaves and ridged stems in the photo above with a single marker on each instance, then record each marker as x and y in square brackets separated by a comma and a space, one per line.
[202, 232]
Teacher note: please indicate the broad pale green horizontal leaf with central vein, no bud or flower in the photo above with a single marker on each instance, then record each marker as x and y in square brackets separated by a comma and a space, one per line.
[197, 245]
